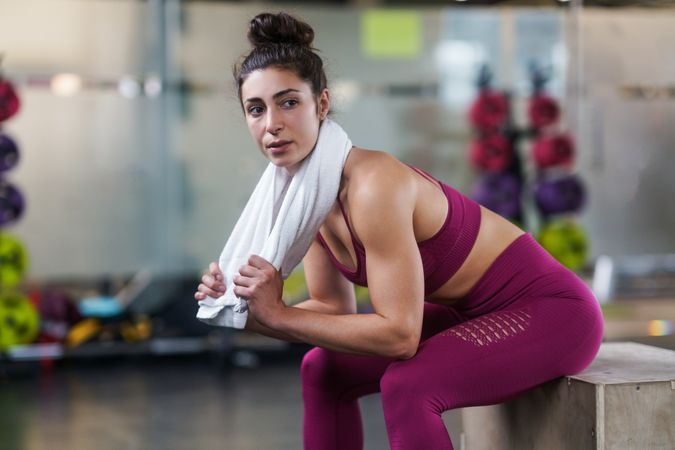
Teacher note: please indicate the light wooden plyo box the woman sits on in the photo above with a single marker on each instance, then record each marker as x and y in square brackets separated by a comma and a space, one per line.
[624, 400]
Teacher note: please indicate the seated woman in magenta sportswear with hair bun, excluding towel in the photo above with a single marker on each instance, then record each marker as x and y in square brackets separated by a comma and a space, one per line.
[467, 308]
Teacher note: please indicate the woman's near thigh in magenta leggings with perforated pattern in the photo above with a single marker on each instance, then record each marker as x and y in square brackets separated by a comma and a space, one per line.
[490, 358]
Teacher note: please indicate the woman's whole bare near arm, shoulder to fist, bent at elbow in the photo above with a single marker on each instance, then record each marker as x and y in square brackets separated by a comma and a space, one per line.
[381, 204]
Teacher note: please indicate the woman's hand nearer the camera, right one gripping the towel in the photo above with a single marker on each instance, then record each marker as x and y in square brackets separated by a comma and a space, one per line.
[260, 283]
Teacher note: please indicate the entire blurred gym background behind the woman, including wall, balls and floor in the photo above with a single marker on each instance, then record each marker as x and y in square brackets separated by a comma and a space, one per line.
[125, 162]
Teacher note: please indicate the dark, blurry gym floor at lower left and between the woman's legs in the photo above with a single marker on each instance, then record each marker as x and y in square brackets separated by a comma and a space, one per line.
[166, 403]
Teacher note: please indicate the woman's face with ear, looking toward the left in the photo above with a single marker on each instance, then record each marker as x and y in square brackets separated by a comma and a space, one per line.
[282, 115]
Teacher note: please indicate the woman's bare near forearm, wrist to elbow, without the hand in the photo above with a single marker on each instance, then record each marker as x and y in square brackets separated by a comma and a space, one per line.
[361, 334]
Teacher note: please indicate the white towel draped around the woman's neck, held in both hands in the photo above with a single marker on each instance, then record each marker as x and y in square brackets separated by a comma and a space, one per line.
[280, 220]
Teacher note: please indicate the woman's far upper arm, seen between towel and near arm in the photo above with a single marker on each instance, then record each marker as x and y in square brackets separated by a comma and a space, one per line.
[325, 283]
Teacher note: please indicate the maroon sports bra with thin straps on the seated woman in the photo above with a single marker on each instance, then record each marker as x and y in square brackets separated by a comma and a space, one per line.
[442, 254]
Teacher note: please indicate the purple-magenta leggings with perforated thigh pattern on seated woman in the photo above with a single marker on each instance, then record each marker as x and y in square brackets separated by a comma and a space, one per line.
[528, 320]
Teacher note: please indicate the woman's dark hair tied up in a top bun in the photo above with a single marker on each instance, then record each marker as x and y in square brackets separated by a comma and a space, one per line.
[281, 40]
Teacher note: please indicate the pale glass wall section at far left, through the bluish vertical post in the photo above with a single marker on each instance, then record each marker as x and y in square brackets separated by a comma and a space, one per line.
[96, 168]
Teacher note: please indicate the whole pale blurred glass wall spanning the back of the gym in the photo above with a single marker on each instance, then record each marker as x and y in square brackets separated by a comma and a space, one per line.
[148, 163]
